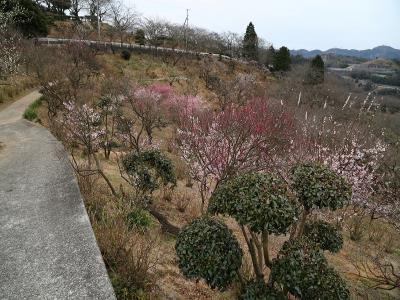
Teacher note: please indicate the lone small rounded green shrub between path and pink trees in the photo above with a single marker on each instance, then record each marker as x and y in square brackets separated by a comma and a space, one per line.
[149, 169]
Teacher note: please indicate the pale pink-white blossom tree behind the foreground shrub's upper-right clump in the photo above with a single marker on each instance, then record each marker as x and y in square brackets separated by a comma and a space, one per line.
[351, 150]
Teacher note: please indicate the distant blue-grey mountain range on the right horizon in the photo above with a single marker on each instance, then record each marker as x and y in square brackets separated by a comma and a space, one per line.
[377, 52]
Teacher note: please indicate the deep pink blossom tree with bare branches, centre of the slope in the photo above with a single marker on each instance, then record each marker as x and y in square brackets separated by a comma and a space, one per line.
[219, 145]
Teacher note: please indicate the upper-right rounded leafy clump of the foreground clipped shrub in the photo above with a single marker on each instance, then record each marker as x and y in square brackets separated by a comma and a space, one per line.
[317, 185]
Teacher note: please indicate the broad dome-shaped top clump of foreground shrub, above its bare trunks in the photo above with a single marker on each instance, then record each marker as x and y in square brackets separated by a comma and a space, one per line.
[257, 200]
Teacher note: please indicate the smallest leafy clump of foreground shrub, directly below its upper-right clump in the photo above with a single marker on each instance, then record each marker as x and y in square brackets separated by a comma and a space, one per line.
[325, 235]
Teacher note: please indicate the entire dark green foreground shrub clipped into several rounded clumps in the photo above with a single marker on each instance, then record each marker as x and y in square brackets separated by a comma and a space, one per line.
[262, 205]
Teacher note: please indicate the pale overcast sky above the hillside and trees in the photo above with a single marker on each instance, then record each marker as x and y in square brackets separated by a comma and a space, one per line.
[309, 24]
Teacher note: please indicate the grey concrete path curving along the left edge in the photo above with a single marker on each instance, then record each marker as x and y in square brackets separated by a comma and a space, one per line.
[47, 246]
